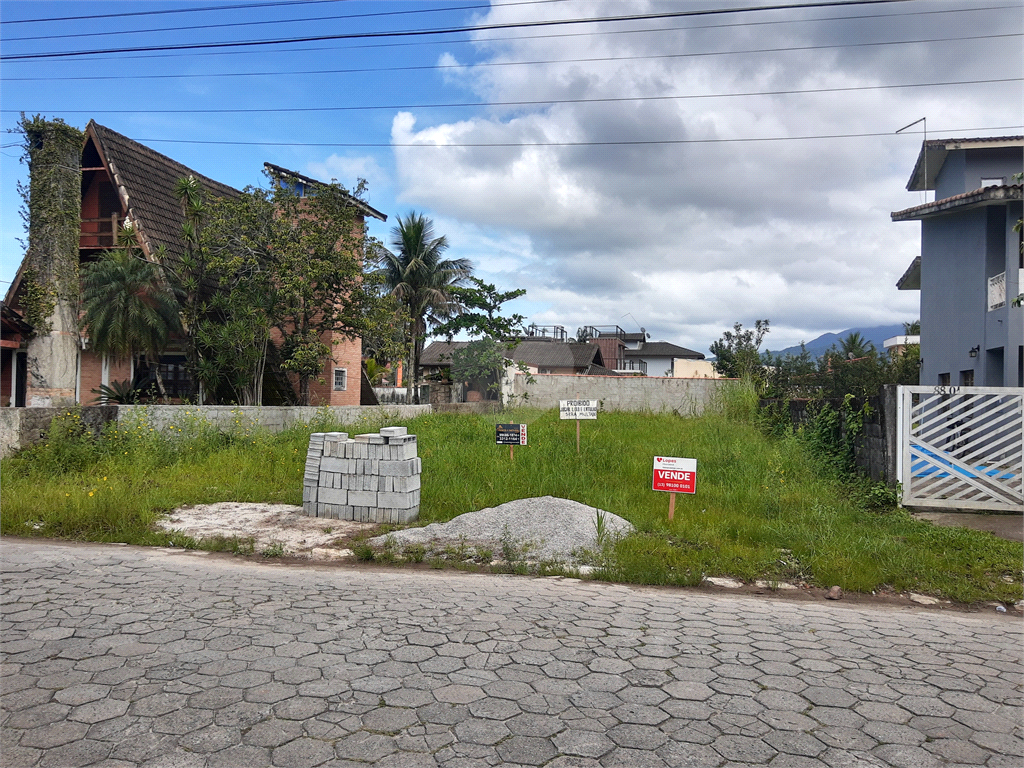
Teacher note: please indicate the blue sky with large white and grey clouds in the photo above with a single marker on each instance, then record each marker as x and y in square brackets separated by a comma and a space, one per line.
[677, 173]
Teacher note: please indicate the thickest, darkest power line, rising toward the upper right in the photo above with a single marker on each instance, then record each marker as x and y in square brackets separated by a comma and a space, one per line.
[452, 30]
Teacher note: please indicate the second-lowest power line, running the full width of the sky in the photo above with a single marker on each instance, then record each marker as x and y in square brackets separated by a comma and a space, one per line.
[531, 103]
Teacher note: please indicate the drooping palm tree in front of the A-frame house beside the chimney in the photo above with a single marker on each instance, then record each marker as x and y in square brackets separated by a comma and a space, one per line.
[129, 311]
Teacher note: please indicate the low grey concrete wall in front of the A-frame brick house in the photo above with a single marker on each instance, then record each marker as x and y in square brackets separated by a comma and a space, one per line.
[22, 428]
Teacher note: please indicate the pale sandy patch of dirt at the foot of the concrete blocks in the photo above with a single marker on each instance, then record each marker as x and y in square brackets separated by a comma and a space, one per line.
[269, 525]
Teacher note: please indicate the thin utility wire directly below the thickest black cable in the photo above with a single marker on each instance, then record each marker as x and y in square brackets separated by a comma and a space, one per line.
[420, 44]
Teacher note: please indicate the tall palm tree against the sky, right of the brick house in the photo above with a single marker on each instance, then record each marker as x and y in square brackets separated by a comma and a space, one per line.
[418, 276]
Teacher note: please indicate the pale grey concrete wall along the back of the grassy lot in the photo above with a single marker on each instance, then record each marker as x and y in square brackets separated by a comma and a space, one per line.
[622, 393]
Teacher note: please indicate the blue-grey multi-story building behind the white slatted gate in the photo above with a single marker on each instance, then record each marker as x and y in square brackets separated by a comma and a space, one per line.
[971, 268]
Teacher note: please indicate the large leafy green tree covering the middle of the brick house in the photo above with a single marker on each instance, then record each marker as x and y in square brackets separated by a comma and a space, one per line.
[270, 262]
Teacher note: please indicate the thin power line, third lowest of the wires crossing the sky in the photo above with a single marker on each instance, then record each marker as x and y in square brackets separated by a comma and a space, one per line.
[415, 68]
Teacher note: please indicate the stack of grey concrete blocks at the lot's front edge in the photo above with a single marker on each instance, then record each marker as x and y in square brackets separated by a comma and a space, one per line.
[369, 478]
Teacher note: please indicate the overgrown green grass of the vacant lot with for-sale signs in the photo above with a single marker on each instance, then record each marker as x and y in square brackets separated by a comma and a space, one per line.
[764, 508]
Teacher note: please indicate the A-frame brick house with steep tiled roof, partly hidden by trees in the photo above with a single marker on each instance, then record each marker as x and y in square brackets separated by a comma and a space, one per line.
[123, 181]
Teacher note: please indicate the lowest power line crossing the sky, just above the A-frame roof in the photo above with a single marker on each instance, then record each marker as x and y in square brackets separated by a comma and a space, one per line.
[515, 145]
